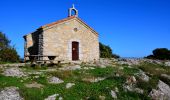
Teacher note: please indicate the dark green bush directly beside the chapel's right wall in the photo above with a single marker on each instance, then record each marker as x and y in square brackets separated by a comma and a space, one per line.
[106, 51]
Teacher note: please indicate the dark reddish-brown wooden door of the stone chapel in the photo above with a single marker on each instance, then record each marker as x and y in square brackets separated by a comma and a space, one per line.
[75, 50]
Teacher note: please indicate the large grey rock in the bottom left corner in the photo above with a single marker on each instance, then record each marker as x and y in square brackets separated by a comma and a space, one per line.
[10, 93]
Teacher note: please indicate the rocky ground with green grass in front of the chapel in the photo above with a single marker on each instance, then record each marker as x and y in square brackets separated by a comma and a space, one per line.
[107, 79]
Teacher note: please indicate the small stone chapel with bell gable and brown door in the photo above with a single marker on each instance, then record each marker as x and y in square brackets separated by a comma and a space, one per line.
[69, 39]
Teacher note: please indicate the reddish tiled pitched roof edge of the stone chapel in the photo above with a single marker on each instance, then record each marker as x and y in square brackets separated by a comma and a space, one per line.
[66, 19]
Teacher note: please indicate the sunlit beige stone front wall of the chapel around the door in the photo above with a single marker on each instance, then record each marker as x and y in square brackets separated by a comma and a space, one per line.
[57, 40]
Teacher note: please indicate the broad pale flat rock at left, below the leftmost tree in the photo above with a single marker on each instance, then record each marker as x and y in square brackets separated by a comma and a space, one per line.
[14, 72]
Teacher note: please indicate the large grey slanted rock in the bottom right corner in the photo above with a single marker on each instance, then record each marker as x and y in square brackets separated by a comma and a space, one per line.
[161, 93]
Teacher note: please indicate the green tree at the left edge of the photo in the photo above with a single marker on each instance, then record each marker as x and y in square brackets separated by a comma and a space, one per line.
[7, 53]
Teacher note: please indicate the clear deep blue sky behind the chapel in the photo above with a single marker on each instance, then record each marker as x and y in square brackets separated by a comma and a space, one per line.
[132, 28]
